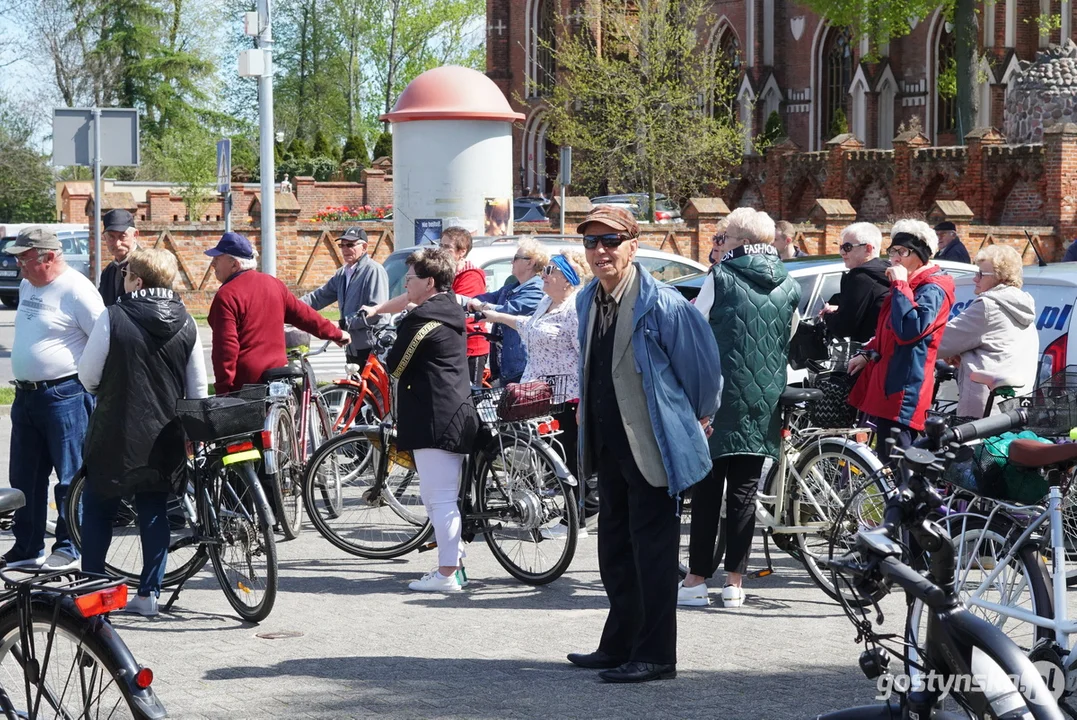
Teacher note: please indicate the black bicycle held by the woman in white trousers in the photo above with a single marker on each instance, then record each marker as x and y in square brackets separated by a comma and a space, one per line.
[516, 492]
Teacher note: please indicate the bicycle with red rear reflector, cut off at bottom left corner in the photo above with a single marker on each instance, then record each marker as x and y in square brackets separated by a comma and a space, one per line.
[58, 647]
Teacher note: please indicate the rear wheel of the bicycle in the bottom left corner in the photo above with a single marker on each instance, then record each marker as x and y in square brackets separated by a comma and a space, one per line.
[82, 679]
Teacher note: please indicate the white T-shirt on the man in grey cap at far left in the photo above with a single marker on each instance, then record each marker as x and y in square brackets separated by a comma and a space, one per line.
[52, 327]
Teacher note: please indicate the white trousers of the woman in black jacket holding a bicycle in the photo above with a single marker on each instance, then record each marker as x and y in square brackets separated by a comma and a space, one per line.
[440, 488]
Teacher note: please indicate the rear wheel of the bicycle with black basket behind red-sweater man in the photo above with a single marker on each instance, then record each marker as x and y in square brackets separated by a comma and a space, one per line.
[245, 554]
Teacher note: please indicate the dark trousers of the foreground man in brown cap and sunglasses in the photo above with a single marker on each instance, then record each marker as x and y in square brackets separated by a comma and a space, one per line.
[638, 548]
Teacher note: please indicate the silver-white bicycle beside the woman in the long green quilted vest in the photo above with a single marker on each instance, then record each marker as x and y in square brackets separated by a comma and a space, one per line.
[818, 471]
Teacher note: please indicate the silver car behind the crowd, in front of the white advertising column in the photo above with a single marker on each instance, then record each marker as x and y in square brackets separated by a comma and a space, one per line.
[495, 256]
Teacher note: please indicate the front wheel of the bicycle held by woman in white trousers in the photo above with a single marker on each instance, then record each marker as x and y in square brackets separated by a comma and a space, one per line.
[382, 515]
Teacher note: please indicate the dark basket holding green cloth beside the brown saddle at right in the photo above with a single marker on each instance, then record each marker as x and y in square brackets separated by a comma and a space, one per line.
[986, 470]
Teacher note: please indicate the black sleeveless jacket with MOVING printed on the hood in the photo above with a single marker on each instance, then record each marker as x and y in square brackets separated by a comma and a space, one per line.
[134, 443]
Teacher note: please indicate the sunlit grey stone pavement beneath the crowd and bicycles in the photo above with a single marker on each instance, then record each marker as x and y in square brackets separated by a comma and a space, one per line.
[356, 644]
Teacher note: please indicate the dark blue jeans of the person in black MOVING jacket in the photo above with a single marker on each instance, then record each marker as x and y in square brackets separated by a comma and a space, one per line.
[99, 515]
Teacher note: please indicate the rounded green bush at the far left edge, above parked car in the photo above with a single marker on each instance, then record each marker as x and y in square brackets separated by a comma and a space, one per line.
[26, 180]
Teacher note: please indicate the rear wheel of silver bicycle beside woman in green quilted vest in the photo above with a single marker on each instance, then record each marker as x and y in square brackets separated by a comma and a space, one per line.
[826, 476]
